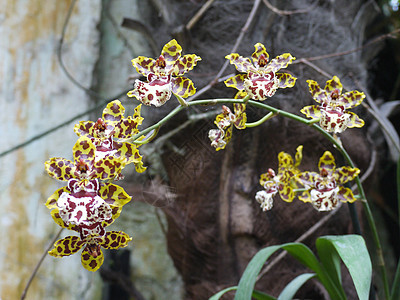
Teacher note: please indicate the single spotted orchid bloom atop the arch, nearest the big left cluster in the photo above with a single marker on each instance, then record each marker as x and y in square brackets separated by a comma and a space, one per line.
[164, 75]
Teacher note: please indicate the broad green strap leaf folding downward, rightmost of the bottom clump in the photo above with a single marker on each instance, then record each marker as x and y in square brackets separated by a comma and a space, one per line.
[353, 251]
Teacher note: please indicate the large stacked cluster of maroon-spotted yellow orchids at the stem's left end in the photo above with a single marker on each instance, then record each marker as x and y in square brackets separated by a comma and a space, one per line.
[90, 202]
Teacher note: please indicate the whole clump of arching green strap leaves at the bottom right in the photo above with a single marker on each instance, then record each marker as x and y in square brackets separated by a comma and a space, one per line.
[351, 249]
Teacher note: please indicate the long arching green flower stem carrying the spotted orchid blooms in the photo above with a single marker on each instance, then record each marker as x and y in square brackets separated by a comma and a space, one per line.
[371, 221]
